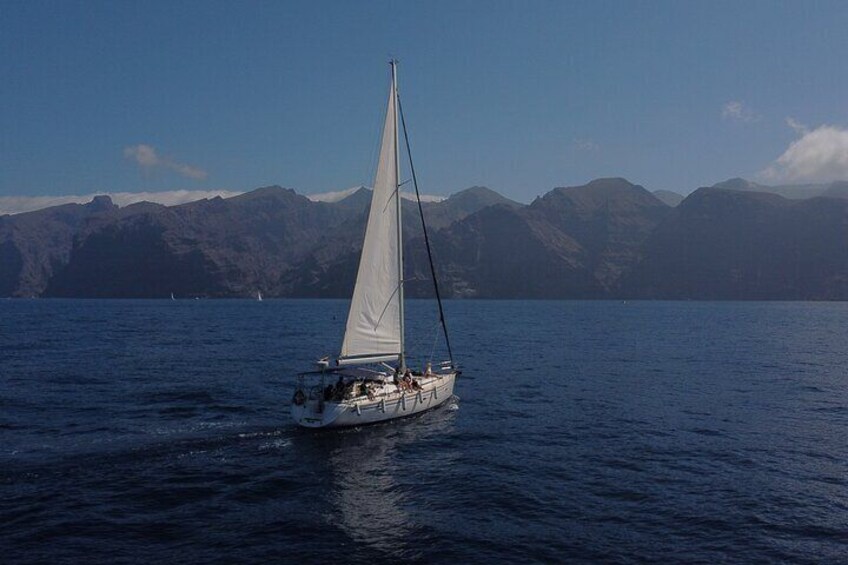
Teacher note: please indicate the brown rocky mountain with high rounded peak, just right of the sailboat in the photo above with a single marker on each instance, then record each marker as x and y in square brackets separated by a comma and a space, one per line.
[572, 242]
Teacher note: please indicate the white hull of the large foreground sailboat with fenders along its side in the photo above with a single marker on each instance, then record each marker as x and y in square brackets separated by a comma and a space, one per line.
[317, 413]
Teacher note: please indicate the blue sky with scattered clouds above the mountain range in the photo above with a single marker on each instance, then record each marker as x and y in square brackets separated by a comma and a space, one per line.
[517, 96]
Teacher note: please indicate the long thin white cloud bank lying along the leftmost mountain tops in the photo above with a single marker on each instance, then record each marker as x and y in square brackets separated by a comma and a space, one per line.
[19, 204]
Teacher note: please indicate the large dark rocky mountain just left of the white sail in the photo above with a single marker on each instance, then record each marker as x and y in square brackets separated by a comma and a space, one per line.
[211, 247]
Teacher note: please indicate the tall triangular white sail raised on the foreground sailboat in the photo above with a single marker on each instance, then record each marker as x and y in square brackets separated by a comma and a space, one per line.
[373, 323]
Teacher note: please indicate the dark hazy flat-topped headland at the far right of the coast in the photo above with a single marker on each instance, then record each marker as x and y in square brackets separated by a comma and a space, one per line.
[734, 245]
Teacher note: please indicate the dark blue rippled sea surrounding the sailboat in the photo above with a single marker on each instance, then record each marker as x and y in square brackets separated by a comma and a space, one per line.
[143, 431]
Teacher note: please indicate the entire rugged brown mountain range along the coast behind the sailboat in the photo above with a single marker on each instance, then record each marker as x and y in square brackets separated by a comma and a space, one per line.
[606, 239]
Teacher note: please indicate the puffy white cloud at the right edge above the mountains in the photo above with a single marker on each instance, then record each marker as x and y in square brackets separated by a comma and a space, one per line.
[818, 155]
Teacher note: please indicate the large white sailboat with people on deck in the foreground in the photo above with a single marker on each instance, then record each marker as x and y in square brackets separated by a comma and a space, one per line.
[369, 380]
